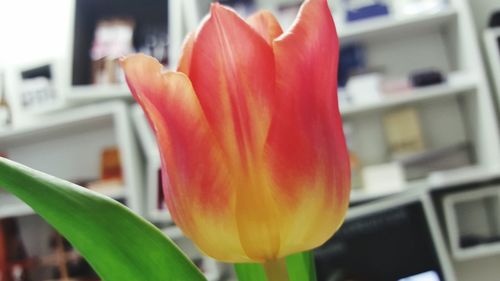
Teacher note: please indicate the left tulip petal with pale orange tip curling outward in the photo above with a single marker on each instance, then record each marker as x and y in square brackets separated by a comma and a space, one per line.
[196, 181]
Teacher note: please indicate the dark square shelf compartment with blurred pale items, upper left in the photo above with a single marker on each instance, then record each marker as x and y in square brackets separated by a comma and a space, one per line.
[105, 34]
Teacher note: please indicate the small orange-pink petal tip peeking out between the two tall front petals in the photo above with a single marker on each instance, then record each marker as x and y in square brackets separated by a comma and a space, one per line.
[266, 24]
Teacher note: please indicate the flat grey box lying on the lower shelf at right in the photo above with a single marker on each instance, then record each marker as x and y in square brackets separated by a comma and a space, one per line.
[451, 157]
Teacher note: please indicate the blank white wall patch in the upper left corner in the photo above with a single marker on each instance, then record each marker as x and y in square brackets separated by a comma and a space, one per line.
[33, 30]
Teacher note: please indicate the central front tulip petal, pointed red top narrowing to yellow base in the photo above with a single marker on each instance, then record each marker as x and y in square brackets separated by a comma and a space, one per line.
[232, 70]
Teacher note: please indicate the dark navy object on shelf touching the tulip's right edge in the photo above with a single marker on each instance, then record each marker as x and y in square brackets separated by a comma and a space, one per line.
[351, 60]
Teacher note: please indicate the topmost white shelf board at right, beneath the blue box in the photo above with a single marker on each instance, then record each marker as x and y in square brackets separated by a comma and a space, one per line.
[378, 27]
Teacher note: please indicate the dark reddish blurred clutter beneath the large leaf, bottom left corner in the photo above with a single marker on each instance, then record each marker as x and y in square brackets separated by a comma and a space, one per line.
[53, 259]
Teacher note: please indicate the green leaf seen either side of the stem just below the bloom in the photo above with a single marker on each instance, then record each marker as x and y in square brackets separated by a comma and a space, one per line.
[300, 267]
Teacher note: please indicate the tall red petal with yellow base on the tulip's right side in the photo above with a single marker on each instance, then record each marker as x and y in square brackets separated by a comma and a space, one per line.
[306, 147]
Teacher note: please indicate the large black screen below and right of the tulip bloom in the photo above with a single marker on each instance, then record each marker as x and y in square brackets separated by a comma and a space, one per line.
[387, 246]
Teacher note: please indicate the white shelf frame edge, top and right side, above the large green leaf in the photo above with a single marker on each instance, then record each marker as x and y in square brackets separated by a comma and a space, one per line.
[77, 120]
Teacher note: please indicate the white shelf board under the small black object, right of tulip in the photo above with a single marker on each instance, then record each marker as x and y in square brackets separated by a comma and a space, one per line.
[454, 86]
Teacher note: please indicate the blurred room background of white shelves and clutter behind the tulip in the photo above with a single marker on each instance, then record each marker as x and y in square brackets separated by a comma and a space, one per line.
[419, 82]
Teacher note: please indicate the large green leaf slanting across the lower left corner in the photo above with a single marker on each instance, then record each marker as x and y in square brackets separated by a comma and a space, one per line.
[118, 244]
